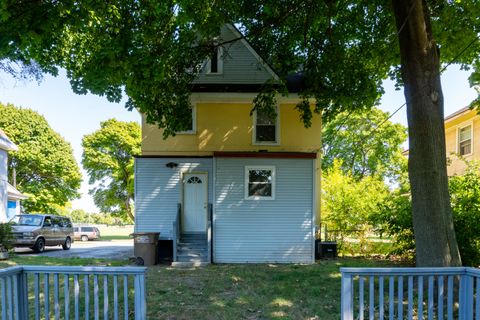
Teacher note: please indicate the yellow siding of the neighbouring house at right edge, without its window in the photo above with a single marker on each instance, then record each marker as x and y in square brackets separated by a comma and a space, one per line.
[457, 166]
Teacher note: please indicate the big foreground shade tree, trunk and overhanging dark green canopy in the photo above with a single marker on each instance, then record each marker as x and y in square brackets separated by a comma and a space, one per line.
[344, 49]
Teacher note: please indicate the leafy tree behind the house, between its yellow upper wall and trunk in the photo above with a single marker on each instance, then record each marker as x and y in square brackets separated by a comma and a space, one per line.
[367, 144]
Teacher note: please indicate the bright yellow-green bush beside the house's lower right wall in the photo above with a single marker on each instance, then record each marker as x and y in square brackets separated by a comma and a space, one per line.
[347, 204]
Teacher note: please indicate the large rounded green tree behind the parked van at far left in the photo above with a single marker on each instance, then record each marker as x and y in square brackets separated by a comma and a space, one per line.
[44, 164]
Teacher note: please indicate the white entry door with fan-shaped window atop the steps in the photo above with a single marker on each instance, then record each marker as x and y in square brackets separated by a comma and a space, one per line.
[194, 202]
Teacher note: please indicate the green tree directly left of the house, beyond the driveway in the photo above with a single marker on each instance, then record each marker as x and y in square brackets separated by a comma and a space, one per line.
[108, 157]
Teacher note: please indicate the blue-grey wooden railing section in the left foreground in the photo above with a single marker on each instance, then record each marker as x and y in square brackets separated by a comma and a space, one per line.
[70, 292]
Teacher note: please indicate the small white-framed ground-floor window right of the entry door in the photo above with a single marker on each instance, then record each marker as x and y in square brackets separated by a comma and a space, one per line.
[260, 182]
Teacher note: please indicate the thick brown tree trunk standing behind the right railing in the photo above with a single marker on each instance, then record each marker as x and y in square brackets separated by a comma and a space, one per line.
[435, 240]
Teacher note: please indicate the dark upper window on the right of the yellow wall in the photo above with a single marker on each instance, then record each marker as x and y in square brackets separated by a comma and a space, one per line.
[266, 127]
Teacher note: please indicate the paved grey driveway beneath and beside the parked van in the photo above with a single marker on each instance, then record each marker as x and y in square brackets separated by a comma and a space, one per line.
[114, 249]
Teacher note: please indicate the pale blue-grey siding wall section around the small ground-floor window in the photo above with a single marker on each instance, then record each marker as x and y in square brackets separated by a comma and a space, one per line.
[251, 231]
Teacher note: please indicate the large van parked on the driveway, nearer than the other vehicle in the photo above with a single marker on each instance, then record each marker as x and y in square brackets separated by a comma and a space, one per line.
[39, 230]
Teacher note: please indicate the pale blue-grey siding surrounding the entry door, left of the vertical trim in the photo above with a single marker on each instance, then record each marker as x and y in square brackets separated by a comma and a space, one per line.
[158, 191]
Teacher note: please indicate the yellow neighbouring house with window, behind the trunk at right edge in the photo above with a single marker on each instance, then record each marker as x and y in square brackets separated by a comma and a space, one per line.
[462, 139]
